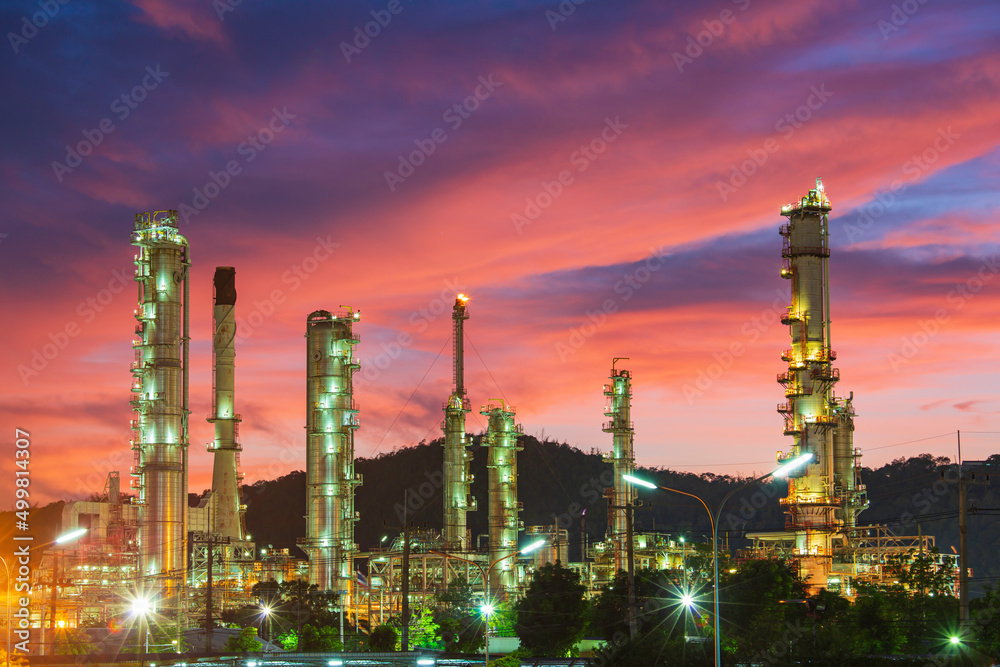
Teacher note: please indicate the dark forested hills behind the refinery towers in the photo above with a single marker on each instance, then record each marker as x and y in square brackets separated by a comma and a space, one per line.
[557, 482]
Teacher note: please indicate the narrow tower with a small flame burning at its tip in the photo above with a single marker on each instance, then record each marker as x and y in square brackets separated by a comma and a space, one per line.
[457, 497]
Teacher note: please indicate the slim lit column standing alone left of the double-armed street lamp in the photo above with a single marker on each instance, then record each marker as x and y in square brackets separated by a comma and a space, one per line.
[619, 409]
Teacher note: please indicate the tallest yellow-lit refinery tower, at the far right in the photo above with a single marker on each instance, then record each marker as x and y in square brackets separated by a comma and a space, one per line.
[811, 505]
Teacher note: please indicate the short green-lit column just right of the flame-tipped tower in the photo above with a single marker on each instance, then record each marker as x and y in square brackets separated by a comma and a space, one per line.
[502, 438]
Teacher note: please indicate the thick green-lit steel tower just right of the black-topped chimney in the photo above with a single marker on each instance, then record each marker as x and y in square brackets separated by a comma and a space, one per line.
[331, 418]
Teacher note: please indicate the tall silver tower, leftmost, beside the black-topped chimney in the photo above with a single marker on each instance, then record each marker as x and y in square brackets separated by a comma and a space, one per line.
[160, 394]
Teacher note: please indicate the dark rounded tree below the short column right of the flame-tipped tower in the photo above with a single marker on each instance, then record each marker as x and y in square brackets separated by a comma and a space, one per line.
[552, 616]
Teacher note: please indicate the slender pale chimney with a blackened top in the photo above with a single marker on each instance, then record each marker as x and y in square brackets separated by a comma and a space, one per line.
[226, 520]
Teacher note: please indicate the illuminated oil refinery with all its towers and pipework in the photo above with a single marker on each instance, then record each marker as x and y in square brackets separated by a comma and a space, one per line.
[193, 563]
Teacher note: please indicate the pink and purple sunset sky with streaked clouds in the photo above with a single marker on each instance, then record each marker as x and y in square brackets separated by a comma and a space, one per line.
[603, 179]
